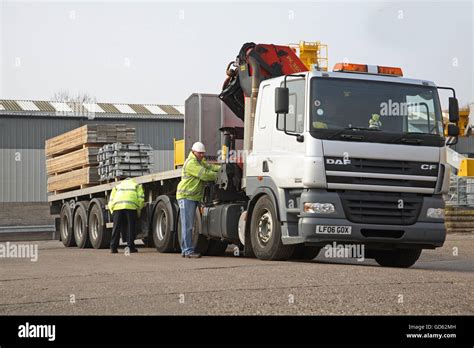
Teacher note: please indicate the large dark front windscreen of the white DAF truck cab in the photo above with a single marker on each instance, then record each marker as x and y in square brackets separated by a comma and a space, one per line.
[373, 106]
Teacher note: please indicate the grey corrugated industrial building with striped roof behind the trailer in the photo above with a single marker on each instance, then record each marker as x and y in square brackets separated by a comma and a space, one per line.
[25, 126]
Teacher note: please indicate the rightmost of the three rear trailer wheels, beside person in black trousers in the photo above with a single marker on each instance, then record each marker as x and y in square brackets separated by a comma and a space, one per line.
[99, 235]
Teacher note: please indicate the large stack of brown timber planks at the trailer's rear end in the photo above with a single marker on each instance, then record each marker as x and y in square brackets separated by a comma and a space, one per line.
[72, 157]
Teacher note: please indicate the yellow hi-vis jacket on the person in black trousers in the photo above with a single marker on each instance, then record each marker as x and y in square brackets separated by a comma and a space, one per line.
[127, 195]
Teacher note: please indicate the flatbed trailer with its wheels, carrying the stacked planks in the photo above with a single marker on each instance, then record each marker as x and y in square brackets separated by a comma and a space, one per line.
[85, 221]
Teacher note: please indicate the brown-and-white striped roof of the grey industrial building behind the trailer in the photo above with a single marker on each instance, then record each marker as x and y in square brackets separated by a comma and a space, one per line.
[89, 110]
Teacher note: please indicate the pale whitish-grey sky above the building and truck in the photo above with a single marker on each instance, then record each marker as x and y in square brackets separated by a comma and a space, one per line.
[161, 52]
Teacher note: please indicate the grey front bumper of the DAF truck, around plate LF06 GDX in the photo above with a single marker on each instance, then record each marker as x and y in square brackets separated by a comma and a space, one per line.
[422, 232]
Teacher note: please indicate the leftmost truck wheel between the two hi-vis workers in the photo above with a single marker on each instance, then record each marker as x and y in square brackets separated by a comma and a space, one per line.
[162, 229]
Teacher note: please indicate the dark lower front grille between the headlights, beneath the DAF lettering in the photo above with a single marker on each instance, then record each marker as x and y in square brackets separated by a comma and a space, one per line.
[381, 208]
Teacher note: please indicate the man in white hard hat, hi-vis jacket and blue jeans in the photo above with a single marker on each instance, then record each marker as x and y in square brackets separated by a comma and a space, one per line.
[196, 171]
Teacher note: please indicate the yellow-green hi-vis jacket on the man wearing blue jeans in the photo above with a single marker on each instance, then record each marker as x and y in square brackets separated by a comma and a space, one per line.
[193, 176]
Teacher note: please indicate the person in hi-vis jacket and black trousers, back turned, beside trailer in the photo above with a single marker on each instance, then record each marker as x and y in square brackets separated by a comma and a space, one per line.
[126, 202]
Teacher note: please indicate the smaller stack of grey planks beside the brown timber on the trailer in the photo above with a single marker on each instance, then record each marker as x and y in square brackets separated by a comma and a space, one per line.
[119, 161]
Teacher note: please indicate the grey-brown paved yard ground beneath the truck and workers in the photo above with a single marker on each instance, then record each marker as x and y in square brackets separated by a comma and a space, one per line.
[88, 281]
